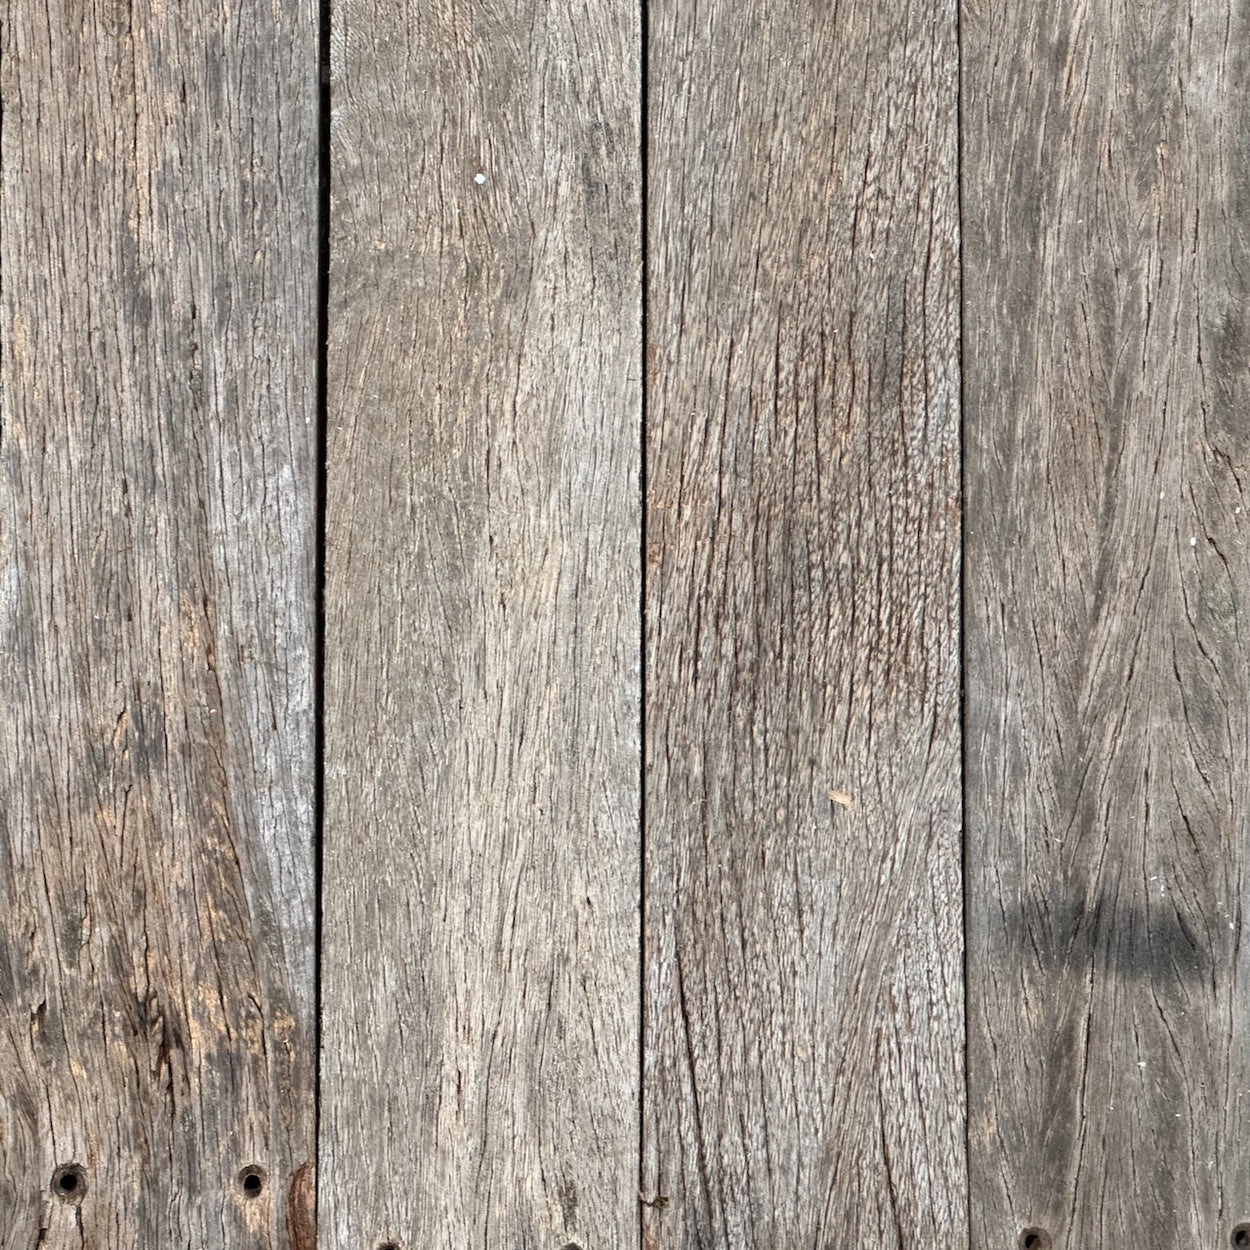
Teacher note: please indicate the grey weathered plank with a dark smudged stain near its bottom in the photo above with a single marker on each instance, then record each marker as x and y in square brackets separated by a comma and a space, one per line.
[1108, 286]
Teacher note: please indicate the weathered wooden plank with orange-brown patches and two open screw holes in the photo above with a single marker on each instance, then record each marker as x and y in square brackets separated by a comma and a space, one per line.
[157, 518]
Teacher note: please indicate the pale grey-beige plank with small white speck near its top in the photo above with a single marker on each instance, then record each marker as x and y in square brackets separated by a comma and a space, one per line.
[482, 856]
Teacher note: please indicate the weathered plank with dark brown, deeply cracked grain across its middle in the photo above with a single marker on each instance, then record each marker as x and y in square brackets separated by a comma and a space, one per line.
[804, 991]
